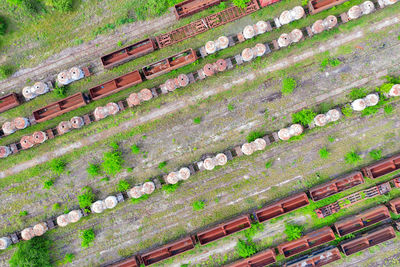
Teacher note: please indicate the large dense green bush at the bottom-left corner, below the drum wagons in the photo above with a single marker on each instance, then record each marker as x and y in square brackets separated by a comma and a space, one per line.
[34, 252]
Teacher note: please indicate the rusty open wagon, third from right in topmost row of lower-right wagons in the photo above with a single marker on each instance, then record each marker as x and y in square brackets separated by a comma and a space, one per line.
[281, 207]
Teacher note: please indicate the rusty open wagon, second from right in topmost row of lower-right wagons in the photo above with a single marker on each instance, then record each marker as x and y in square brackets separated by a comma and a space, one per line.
[335, 186]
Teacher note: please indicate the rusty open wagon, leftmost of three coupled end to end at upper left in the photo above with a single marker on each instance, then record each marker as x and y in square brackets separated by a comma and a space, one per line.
[60, 107]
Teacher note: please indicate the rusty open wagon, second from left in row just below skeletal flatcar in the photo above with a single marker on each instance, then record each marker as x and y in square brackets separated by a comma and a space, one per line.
[311, 240]
